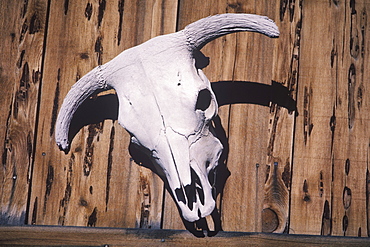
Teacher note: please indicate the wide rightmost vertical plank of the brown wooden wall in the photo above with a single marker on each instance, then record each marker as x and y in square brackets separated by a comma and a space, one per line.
[327, 145]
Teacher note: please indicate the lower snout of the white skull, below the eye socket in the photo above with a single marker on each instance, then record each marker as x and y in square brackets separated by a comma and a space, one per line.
[186, 165]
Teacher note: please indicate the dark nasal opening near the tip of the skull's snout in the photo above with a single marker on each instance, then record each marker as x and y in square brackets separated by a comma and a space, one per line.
[190, 193]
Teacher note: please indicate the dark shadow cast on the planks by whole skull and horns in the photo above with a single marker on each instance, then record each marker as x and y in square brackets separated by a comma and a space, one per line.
[98, 108]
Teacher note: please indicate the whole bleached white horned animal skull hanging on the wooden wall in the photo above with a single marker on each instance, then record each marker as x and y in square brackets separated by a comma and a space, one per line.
[166, 104]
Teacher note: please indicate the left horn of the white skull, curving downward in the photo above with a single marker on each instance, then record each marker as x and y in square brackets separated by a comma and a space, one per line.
[80, 91]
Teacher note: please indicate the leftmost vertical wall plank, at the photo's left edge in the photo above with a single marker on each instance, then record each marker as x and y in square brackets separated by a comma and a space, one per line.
[23, 25]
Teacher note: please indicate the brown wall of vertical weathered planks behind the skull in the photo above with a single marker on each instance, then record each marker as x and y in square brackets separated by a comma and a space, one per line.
[305, 173]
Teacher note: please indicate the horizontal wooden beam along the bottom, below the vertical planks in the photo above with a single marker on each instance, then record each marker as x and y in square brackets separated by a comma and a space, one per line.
[82, 236]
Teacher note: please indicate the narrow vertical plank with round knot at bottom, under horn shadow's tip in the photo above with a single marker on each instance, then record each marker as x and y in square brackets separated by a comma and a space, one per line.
[275, 215]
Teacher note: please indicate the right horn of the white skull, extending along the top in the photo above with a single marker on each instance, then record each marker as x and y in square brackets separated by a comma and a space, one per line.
[201, 32]
